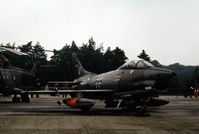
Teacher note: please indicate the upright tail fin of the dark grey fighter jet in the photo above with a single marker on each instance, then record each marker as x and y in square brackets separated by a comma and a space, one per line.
[78, 68]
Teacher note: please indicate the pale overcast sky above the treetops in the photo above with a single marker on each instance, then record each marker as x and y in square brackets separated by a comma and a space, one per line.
[167, 29]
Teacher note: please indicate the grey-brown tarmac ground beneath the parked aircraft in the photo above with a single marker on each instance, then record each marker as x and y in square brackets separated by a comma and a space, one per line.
[44, 116]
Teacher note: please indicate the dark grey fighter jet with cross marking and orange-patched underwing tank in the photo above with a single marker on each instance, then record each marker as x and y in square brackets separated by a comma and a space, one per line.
[131, 86]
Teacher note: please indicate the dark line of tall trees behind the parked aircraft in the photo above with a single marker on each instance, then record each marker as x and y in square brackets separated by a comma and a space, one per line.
[95, 59]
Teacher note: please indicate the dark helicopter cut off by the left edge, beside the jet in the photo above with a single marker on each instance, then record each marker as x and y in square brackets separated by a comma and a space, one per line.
[14, 80]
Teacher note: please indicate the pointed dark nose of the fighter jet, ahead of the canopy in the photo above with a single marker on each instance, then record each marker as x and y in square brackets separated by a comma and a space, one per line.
[159, 73]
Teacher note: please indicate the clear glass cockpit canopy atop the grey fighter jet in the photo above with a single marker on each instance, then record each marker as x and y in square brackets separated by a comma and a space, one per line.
[136, 64]
